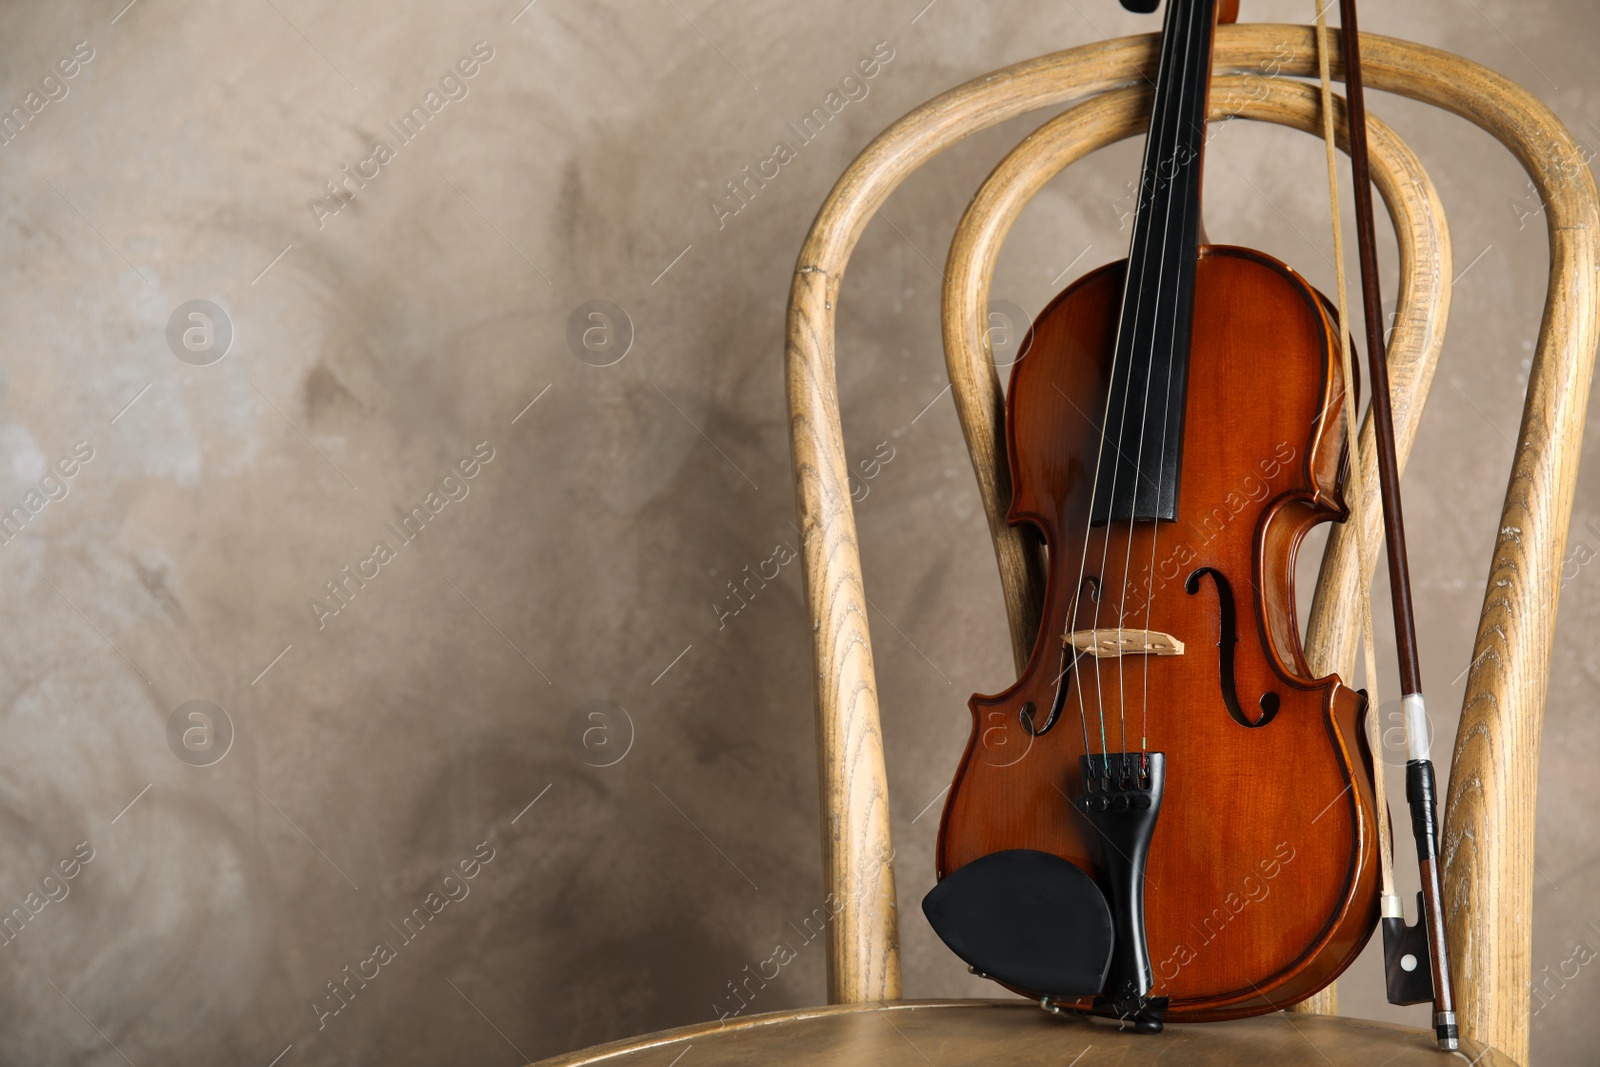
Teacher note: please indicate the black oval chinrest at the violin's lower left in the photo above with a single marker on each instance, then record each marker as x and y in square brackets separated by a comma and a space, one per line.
[1028, 919]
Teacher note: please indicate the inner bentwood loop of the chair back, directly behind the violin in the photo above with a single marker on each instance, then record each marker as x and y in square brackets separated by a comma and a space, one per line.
[1415, 345]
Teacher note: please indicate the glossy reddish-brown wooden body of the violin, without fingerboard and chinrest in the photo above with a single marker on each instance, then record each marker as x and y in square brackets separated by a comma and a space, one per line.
[1262, 879]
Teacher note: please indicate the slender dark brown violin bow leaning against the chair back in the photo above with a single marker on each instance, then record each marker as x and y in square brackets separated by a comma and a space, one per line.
[1407, 985]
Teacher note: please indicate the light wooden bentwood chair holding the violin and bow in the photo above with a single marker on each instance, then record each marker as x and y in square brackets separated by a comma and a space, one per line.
[1490, 801]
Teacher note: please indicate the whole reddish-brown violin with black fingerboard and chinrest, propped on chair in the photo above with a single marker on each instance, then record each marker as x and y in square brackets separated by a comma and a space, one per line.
[1169, 817]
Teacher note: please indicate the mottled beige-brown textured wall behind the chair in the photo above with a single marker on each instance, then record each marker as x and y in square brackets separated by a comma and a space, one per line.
[383, 754]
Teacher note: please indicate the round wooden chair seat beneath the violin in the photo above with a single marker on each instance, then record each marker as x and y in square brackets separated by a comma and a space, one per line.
[1014, 1033]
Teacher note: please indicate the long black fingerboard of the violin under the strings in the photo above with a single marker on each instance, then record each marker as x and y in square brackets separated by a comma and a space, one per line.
[1145, 418]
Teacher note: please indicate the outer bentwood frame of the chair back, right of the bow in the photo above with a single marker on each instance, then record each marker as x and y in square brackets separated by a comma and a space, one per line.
[1495, 767]
